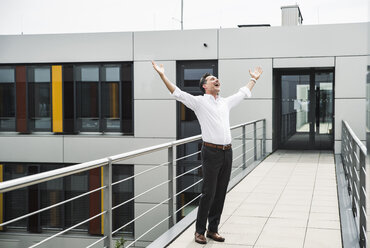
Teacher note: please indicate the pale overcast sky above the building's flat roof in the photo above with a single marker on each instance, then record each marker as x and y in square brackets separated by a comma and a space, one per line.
[86, 16]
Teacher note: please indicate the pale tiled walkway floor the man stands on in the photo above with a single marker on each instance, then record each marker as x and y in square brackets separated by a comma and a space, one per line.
[289, 200]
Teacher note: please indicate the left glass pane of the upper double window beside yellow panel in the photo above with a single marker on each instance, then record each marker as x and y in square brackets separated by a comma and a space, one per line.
[87, 89]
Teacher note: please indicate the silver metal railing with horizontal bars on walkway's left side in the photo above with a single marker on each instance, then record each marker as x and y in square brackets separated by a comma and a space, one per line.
[251, 142]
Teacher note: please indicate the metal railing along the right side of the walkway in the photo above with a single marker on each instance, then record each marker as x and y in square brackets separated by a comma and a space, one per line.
[354, 162]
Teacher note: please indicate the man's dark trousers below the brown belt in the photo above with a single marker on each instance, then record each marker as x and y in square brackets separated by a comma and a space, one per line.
[216, 167]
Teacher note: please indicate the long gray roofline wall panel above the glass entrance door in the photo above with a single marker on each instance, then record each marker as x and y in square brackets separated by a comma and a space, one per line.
[293, 41]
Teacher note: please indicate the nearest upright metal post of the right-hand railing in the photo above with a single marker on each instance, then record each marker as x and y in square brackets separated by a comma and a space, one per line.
[362, 201]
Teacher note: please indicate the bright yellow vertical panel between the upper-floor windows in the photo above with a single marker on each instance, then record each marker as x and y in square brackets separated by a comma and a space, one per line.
[57, 96]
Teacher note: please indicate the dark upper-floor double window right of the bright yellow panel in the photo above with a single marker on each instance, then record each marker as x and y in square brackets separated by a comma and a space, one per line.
[104, 98]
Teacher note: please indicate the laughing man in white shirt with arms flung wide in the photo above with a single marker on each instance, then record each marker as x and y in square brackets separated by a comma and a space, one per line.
[212, 112]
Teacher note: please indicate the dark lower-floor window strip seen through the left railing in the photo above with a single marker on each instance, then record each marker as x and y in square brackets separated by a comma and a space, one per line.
[32, 198]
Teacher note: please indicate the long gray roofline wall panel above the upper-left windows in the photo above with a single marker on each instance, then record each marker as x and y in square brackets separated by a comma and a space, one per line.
[56, 48]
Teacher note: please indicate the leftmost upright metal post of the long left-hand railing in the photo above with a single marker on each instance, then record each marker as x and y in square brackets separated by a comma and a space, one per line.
[107, 201]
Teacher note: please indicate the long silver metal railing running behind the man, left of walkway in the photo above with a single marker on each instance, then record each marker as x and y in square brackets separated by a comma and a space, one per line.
[106, 164]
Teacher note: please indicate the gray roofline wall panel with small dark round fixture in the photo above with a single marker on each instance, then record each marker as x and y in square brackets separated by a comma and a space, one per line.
[176, 45]
